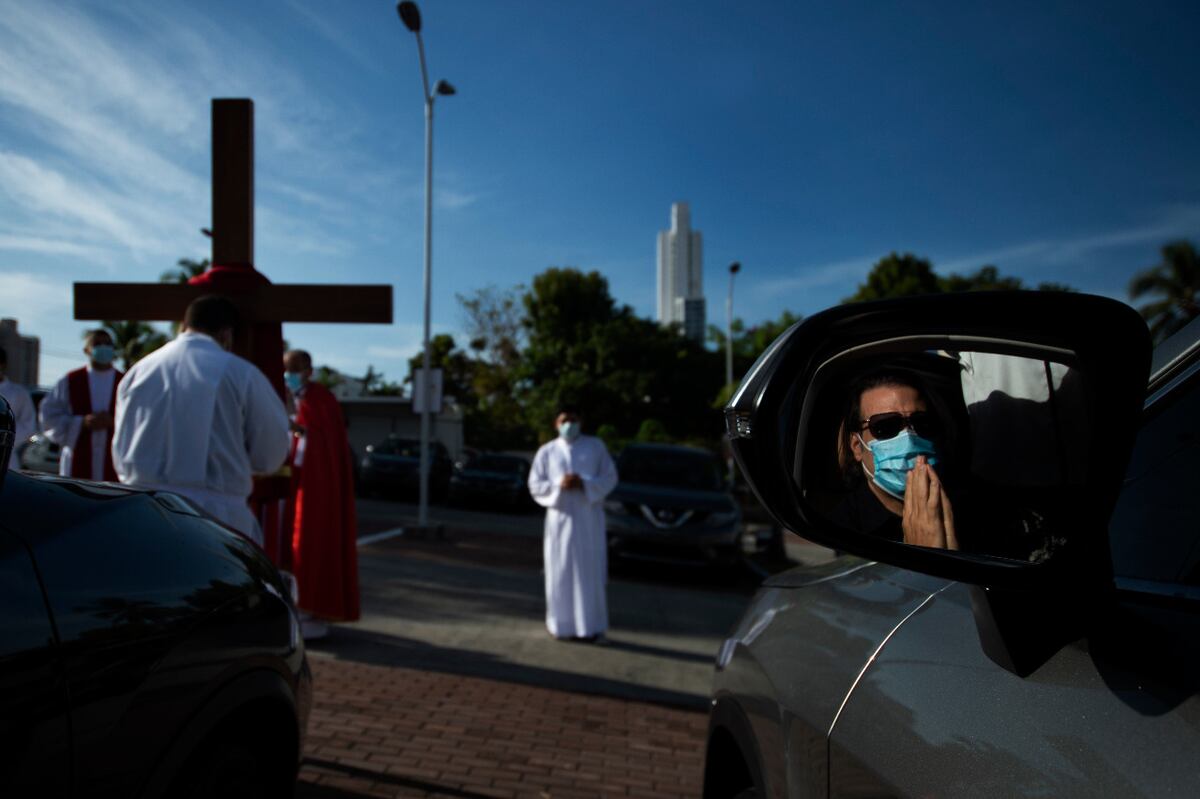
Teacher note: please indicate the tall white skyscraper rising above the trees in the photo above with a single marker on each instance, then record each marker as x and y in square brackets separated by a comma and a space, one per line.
[681, 275]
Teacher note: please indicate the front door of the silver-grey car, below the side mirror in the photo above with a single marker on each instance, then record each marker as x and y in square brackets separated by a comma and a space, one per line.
[1115, 713]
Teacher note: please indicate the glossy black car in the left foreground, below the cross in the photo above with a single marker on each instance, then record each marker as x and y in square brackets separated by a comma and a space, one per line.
[146, 650]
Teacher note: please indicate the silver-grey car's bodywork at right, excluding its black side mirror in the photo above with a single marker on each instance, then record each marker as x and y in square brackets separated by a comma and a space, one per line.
[861, 680]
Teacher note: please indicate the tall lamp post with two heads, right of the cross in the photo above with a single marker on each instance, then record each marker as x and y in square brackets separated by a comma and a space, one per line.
[412, 19]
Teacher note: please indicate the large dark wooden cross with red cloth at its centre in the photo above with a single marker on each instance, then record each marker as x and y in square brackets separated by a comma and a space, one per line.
[265, 307]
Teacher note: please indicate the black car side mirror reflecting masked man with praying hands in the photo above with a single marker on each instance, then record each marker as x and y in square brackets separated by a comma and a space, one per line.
[981, 437]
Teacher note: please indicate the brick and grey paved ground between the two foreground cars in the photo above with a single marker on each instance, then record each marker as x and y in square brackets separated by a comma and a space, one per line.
[451, 687]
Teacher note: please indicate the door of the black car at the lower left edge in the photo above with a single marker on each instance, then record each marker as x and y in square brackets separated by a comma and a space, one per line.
[35, 743]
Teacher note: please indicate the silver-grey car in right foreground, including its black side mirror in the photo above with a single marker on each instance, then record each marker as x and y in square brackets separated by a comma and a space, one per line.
[913, 671]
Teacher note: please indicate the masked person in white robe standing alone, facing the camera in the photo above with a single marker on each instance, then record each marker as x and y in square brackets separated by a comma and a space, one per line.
[571, 478]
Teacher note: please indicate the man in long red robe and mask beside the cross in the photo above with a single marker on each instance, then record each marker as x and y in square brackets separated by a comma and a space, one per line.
[321, 513]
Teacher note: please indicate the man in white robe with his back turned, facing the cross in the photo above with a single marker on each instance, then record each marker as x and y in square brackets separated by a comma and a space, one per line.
[197, 420]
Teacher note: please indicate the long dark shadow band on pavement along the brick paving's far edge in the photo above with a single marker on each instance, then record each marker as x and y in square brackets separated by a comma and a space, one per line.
[380, 650]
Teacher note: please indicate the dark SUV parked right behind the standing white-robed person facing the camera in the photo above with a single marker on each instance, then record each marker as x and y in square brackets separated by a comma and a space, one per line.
[673, 503]
